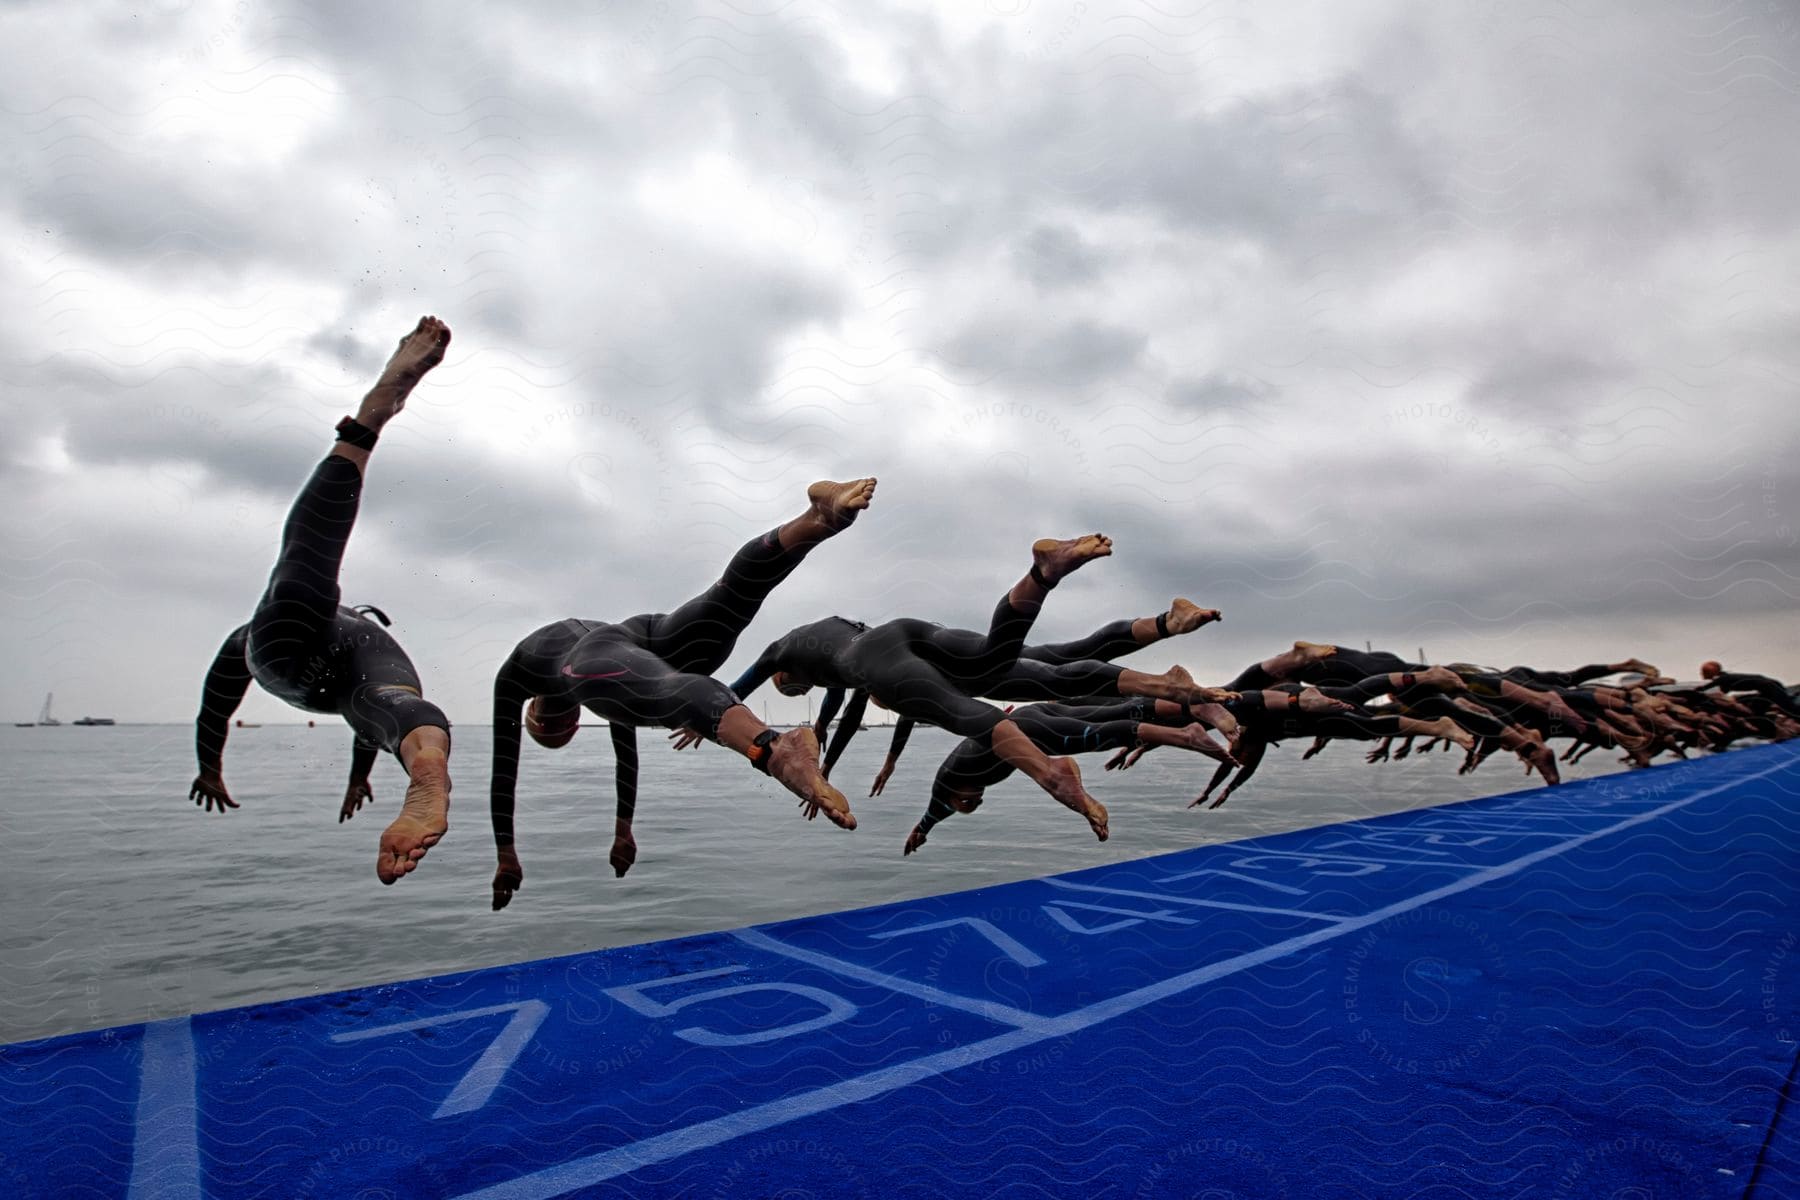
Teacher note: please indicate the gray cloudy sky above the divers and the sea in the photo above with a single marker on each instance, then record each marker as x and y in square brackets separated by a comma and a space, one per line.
[1450, 327]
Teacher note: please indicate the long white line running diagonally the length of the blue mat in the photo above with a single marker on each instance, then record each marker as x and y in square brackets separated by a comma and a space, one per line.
[663, 1147]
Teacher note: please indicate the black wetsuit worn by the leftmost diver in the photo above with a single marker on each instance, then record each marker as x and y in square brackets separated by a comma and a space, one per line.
[303, 647]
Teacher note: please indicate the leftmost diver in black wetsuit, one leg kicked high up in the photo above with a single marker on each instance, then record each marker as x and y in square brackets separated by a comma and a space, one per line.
[307, 649]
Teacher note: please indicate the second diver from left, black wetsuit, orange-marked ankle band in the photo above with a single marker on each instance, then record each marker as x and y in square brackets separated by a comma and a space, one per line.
[656, 670]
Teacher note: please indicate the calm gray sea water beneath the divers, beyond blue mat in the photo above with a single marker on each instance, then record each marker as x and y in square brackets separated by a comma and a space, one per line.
[125, 902]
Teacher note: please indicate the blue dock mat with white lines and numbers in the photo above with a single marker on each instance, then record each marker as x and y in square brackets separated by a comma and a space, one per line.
[1569, 992]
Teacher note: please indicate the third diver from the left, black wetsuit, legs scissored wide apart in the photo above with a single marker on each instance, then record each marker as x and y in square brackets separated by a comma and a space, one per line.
[931, 674]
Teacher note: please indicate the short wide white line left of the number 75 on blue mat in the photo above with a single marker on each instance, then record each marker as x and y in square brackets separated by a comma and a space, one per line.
[166, 1143]
